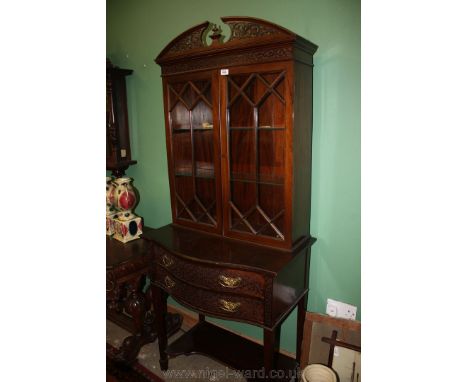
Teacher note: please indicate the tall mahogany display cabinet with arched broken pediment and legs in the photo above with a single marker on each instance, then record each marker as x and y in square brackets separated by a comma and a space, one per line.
[238, 119]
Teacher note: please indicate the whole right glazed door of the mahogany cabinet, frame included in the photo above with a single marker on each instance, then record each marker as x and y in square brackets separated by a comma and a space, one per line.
[256, 134]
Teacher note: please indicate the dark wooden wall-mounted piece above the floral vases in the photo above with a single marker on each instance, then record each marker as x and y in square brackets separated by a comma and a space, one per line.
[118, 153]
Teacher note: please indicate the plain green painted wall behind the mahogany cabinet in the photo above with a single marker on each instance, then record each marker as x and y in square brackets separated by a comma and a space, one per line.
[138, 30]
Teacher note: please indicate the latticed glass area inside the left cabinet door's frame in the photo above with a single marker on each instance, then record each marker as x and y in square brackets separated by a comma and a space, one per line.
[191, 120]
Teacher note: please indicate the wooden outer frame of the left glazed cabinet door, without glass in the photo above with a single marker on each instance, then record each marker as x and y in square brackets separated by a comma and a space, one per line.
[202, 75]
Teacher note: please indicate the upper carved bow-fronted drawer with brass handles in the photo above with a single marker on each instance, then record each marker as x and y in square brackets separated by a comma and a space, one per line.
[214, 278]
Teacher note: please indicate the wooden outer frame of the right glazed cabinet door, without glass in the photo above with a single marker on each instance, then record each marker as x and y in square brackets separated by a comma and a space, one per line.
[286, 66]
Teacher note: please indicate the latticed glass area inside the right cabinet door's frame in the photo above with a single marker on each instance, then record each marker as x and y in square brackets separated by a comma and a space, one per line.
[256, 152]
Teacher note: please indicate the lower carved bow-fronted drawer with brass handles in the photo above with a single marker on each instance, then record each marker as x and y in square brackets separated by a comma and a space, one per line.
[213, 303]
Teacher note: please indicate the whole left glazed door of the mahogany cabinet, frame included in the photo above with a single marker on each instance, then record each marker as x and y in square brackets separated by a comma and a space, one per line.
[192, 133]
